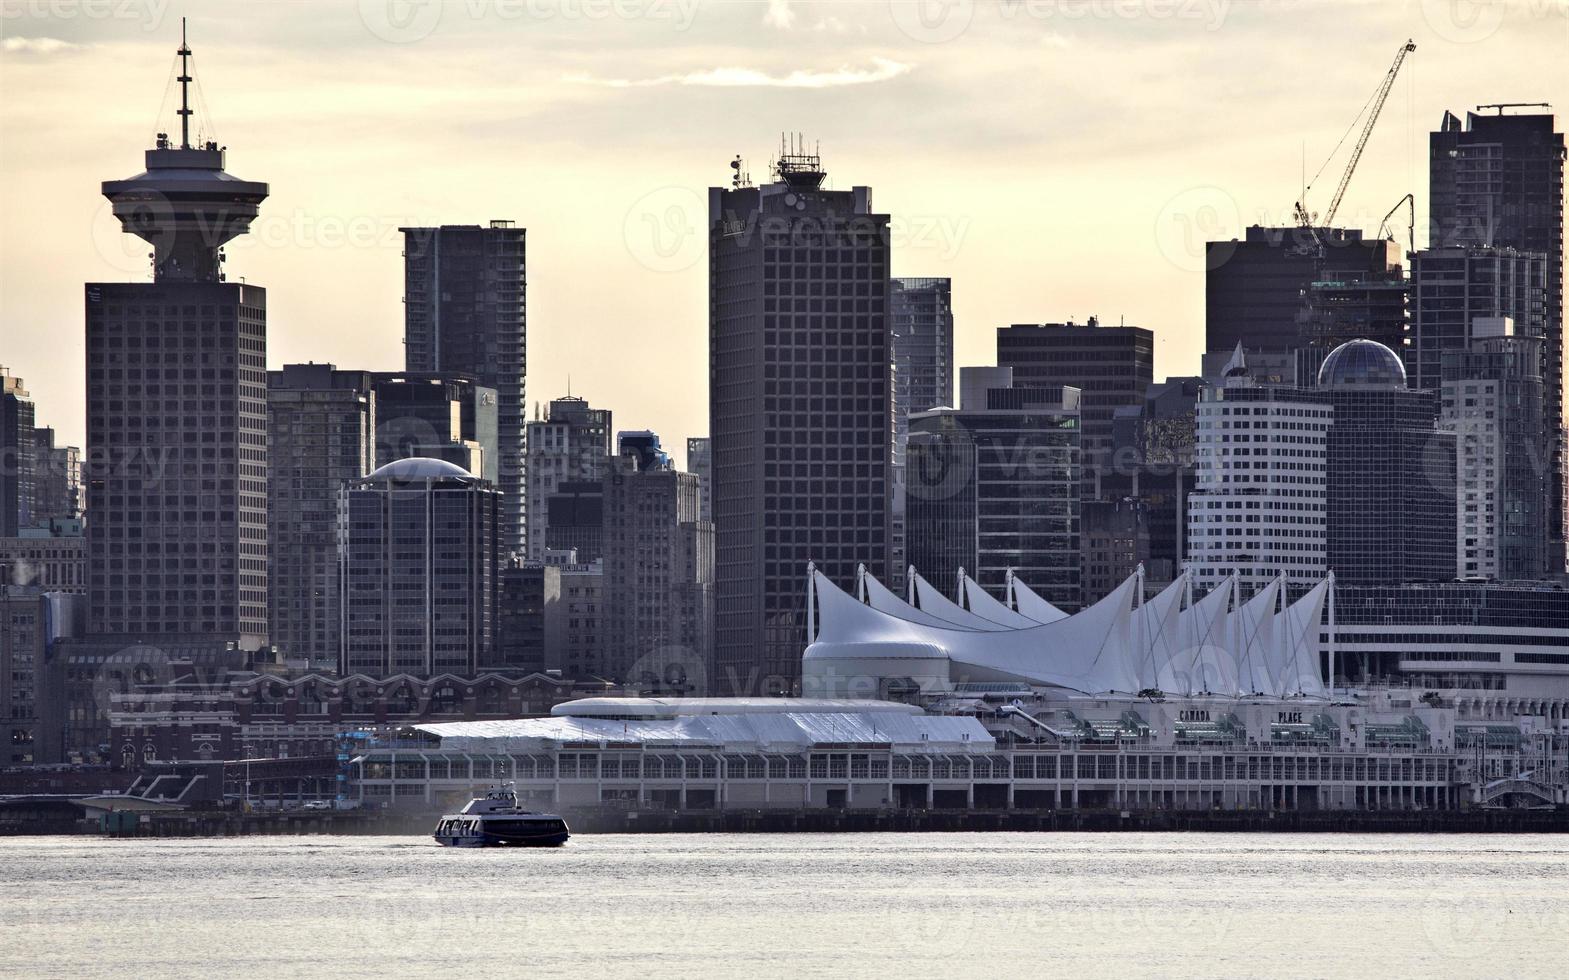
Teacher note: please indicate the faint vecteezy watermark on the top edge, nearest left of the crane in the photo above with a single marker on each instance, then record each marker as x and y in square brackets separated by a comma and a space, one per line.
[939, 21]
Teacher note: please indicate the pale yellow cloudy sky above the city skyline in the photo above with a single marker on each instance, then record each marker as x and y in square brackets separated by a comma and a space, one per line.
[1058, 159]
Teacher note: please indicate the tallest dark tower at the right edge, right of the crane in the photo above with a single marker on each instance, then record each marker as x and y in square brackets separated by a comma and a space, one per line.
[1499, 181]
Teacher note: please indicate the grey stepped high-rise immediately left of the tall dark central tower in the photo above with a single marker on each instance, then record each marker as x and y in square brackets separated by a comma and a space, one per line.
[658, 573]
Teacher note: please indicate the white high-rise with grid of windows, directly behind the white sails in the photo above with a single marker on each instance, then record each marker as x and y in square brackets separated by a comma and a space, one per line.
[1259, 507]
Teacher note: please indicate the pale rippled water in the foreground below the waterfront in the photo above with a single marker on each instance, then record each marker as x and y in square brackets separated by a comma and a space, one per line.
[788, 906]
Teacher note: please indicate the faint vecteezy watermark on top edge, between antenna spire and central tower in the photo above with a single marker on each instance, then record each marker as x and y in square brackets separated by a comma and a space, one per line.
[407, 21]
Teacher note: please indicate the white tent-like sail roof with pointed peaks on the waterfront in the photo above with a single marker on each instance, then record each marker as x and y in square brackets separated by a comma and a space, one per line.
[876, 645]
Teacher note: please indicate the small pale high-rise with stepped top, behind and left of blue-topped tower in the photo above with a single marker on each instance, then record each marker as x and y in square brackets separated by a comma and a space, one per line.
[570, 445]
